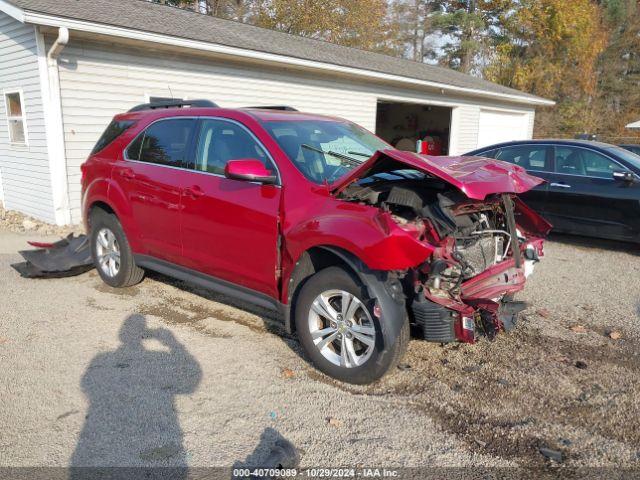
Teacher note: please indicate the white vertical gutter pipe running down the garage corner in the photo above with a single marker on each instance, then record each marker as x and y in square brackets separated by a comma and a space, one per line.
[54, 128]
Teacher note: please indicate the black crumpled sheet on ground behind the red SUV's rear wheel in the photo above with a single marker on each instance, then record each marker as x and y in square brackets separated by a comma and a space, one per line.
[64, 258]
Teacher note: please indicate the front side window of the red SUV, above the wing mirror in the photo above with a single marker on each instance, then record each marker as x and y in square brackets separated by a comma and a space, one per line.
[221, 141]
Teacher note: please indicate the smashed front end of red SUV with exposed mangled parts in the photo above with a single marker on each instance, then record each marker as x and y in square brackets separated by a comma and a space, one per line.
[482, 258]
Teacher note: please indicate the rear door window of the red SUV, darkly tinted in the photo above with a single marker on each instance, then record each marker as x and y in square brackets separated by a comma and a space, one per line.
[165, 143]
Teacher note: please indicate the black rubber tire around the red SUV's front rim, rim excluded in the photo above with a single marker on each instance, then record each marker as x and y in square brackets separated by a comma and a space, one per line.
[385, 355]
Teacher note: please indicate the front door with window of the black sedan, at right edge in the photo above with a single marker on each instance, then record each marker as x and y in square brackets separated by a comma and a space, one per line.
[585, 199]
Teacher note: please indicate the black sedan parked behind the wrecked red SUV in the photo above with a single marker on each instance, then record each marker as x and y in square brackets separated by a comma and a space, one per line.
[592, 188]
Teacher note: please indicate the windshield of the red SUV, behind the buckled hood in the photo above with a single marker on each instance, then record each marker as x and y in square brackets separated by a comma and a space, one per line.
[324, 150]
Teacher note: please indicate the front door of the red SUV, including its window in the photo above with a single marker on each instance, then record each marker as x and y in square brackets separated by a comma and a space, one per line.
[230, 227]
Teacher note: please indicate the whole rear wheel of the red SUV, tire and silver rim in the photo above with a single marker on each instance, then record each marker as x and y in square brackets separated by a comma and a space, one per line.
[105, 226]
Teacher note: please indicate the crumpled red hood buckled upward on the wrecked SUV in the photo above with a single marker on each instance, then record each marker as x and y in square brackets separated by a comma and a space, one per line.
[476, 177]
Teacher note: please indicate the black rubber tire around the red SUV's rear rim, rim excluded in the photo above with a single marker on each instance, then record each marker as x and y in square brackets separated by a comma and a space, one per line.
[129, 273]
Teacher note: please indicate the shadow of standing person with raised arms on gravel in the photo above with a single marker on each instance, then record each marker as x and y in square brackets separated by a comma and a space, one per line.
[132, 419]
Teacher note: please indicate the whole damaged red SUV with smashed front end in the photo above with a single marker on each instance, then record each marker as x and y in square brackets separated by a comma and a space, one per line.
[351, 240]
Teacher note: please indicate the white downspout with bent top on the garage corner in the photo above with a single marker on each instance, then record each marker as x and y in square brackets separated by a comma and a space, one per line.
[57, 151]
